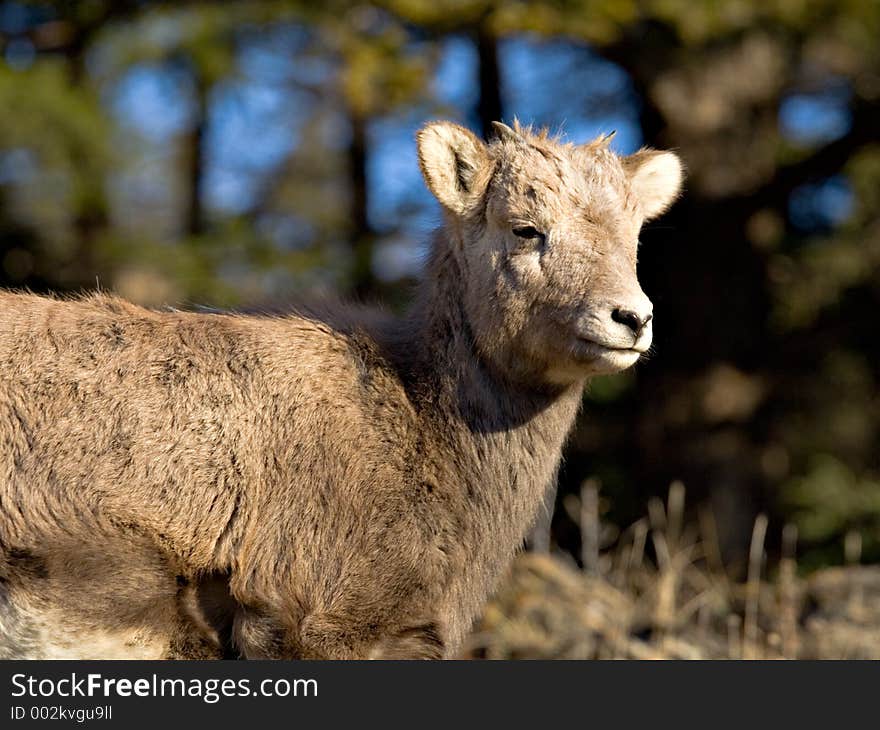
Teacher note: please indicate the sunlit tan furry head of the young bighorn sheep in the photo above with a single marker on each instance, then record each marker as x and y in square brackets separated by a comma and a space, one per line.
[535, 303]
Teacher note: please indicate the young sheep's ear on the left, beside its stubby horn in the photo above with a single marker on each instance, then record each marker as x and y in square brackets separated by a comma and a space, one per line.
[452, 160]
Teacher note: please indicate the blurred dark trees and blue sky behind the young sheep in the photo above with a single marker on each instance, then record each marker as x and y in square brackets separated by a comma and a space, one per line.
[240, 154]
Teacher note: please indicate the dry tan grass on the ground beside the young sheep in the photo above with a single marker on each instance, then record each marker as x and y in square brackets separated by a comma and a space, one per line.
[679, 603]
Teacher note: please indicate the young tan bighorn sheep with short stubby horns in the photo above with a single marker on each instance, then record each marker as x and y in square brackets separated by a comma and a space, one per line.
[339, 485]
